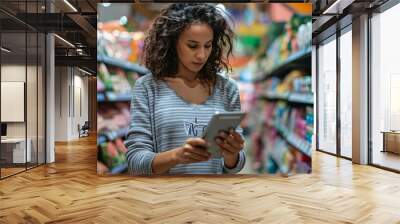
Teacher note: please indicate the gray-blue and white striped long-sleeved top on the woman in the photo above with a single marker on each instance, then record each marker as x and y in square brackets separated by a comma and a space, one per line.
[162, 120]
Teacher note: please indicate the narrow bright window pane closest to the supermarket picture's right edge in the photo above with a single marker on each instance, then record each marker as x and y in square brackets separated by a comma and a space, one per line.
[327, 97]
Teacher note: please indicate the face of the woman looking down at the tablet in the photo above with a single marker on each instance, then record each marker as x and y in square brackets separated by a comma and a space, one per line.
[194, 47]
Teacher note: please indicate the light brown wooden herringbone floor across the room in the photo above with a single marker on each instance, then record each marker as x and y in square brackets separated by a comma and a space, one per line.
[70, 191]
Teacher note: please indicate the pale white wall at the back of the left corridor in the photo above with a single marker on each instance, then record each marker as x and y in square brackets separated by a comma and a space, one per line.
[69, 85]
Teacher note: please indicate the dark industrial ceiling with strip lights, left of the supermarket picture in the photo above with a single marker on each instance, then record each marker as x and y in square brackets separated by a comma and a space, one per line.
[76, 23]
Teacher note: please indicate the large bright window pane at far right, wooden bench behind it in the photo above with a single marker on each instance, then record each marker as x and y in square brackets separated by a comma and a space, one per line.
[385, 85]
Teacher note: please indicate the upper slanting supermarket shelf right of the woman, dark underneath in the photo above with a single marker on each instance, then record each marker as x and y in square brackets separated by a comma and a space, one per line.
[300, 58]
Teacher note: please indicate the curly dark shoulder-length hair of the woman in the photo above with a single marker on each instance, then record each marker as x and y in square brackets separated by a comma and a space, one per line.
[160, 54]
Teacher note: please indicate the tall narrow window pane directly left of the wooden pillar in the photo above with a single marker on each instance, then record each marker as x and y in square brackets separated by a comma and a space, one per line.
[346, 94]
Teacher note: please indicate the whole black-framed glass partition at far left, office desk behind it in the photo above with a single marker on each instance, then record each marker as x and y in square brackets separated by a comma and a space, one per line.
[22, 76]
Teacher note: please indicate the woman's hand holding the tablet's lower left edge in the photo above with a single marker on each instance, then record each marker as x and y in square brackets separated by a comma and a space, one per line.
[194, 150]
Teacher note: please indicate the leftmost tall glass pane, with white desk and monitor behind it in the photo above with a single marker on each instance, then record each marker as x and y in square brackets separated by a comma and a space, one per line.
[14, 153]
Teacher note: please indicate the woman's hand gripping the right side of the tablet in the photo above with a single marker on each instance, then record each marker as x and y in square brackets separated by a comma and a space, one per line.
[230, 144]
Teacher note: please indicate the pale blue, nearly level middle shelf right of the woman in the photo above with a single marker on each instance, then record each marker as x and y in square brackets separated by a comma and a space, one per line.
[291, 97]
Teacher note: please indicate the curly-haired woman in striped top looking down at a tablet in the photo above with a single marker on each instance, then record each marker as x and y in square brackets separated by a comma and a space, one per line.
[186, 50]
